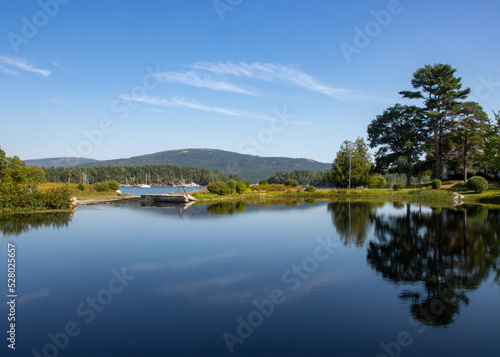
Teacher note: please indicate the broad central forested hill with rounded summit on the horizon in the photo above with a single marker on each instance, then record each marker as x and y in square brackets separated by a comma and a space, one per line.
[247, 167]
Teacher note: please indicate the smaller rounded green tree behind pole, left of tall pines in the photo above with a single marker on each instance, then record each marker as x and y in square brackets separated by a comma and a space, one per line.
[356, 156]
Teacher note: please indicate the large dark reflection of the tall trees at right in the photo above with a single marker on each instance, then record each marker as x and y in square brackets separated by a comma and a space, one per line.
[449, 252]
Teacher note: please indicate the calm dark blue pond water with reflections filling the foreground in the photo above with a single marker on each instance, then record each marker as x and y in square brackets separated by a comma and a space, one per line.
[283, 279]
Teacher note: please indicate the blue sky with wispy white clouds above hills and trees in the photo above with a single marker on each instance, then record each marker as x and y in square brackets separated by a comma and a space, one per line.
[115, 79]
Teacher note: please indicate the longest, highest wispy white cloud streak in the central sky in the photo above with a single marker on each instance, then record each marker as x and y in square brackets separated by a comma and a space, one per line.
[270, 72]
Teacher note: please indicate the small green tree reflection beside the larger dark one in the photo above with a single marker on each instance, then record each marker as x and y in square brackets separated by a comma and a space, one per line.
[353, 220]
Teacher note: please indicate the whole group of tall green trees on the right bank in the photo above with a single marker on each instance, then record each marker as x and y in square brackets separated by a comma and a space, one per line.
[444, 130]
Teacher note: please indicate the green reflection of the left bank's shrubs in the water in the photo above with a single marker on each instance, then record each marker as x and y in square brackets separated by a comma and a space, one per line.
[12, 225]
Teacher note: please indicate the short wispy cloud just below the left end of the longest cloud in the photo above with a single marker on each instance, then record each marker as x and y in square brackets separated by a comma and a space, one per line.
[193, 79]
